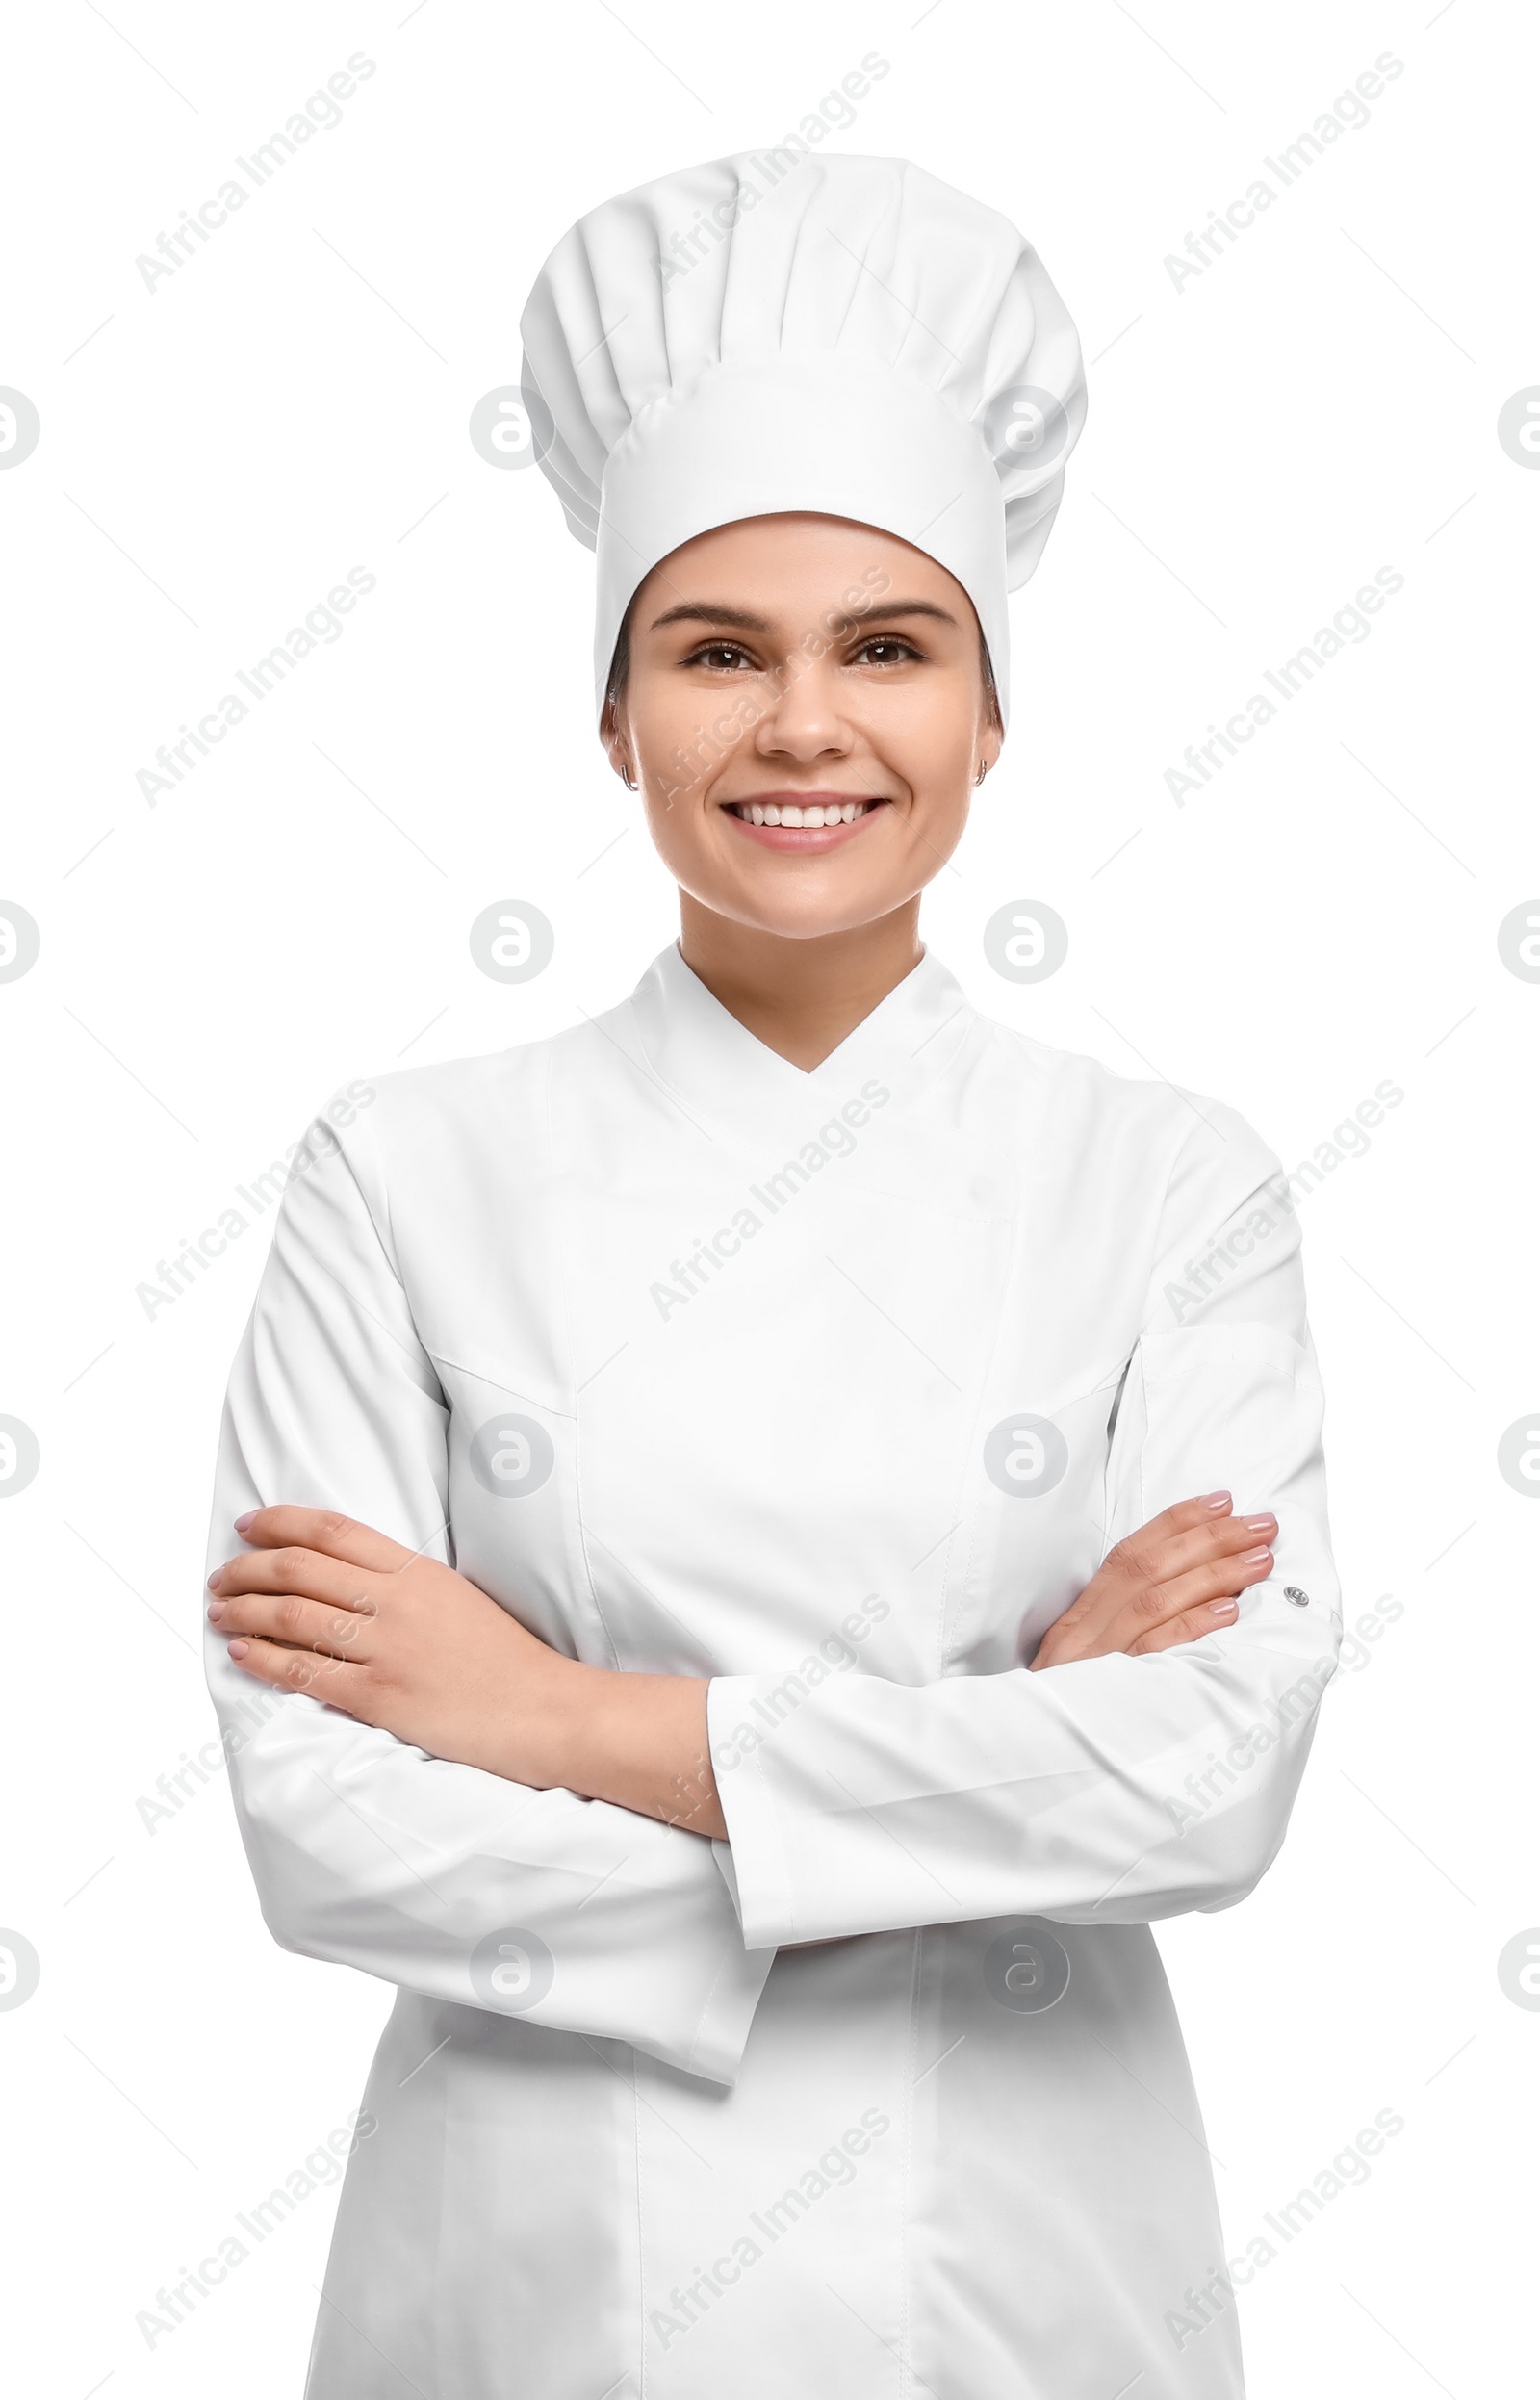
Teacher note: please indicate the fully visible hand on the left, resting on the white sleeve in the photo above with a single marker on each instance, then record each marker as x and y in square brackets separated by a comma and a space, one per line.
[335, 1609]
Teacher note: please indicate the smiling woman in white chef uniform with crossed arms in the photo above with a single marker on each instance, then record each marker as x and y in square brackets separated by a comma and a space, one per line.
[788, 1638]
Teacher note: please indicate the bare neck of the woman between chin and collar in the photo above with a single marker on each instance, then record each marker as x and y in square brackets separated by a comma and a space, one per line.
[800, 997]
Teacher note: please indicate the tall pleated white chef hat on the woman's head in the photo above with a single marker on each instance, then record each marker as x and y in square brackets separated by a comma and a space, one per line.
[786, 332]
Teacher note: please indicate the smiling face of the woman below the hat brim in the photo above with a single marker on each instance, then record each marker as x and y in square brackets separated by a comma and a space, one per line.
[805, 716]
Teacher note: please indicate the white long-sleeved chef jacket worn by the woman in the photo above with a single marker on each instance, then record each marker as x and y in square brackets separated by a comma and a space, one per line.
[834, 1388]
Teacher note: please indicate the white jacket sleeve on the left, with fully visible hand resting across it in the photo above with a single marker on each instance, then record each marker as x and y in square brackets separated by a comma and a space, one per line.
[368, 1852]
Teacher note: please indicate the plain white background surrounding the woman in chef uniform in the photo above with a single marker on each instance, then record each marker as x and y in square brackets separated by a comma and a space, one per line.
[1323, 916]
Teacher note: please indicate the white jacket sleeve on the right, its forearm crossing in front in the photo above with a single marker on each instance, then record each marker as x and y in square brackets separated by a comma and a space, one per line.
[1112, 1789]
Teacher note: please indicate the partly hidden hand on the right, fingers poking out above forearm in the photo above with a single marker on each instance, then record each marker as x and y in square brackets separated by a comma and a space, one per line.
[1174, 1580]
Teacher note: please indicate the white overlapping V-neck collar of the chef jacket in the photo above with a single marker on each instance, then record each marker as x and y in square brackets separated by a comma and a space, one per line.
[714, 1062]
